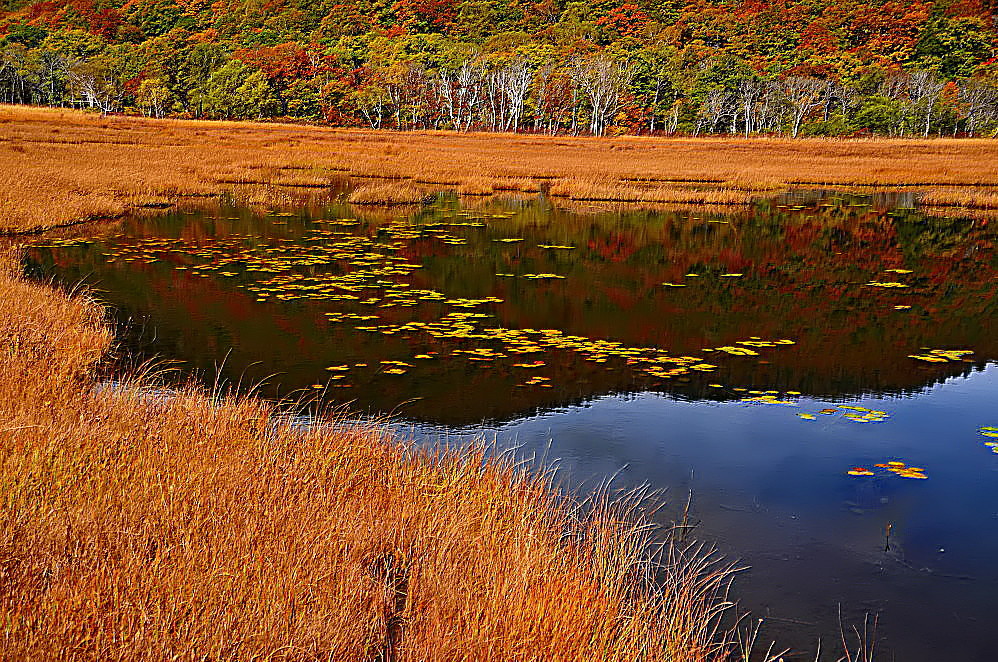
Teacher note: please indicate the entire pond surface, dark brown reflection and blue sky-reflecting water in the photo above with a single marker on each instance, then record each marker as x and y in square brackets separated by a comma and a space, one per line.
[268, 296]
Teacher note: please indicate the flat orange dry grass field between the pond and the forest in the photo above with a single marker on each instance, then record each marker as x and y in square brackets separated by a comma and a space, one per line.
[62, 166]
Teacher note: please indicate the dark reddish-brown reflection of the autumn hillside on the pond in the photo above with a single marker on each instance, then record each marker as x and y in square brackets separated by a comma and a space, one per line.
[805, 259]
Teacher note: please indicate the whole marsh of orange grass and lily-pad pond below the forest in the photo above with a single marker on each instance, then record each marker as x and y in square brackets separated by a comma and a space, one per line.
[499, 411]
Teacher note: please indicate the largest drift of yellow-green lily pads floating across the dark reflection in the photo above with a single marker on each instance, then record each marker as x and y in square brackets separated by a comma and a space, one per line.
[337, 261]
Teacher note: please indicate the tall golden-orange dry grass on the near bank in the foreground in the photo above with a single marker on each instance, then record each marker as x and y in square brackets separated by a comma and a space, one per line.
[141, 524]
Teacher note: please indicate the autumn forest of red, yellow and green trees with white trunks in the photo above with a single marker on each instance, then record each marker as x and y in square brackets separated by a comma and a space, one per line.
[795, 67]
